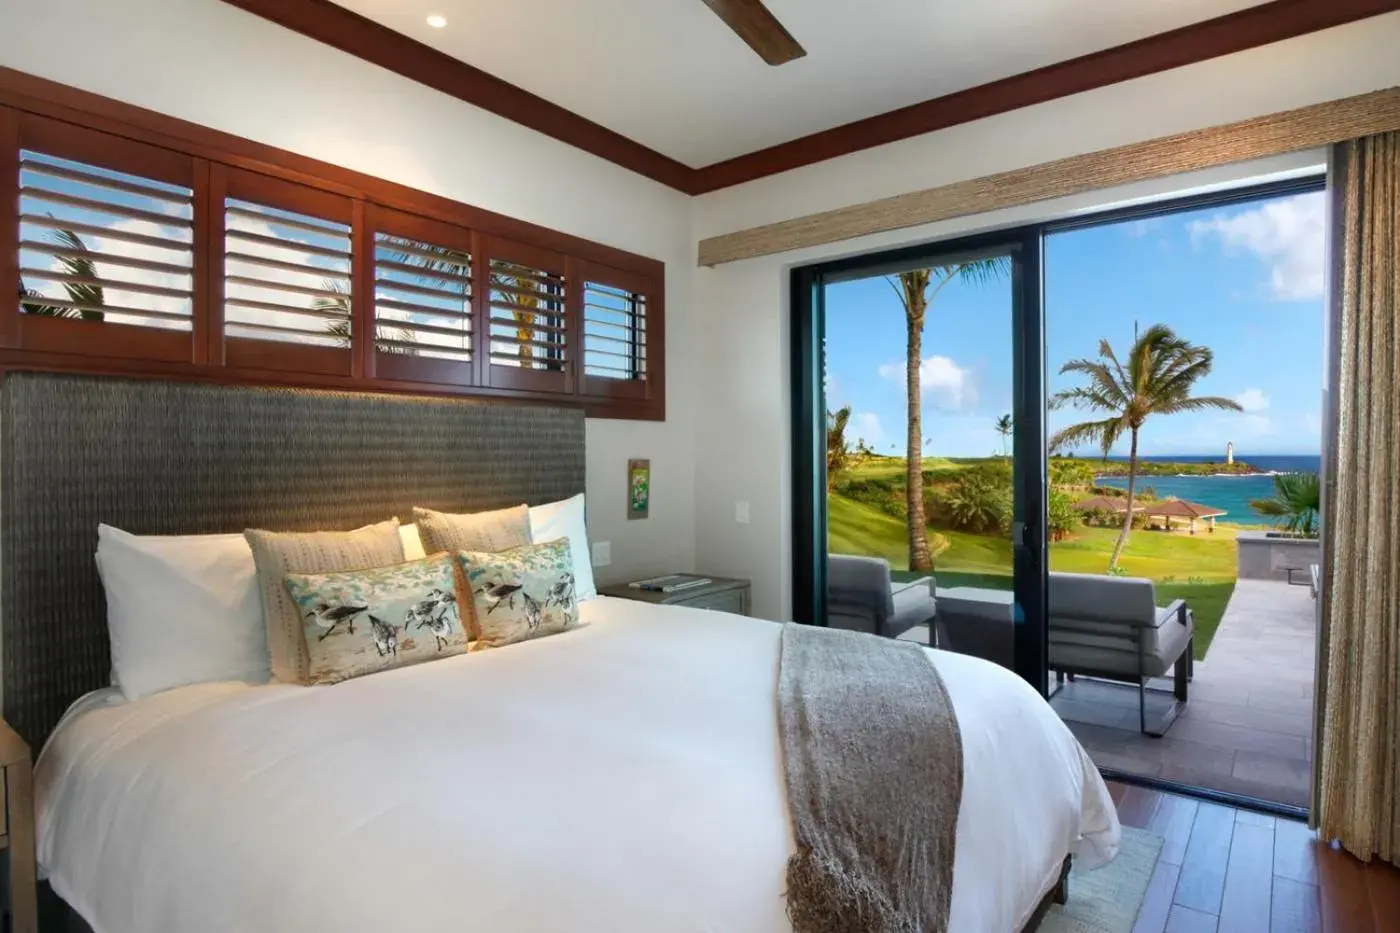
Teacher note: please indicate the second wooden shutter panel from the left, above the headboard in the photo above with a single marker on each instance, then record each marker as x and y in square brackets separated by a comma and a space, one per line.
[288, 275]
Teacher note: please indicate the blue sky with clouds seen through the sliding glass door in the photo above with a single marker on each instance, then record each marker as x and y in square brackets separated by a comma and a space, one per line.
[1244, 281]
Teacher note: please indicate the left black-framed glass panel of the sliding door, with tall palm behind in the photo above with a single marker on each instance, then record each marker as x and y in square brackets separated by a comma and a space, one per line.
[919, 449]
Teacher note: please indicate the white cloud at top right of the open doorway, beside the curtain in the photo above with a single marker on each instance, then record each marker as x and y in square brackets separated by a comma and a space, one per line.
[1289, 235]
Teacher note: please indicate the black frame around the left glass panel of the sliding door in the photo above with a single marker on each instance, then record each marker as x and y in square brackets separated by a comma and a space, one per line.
[808, 337]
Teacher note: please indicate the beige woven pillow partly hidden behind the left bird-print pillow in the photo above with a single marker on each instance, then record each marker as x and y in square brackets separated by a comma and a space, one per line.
[279, 554]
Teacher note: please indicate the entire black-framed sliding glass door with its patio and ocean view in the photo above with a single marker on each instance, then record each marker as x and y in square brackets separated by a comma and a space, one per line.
[1179, 484]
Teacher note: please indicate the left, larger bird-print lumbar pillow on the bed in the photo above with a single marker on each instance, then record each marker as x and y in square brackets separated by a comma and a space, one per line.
[366, 621]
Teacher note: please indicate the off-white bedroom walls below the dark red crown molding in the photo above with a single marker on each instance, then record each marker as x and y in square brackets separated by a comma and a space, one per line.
[727, 432]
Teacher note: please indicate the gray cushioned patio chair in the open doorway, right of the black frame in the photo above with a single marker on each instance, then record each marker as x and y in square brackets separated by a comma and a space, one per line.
[1112, 628]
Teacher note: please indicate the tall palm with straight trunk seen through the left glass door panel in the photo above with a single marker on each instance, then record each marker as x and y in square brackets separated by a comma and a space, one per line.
[916, 292]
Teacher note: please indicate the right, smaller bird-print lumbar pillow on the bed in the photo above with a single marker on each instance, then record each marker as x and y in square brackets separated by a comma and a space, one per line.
[521, 593]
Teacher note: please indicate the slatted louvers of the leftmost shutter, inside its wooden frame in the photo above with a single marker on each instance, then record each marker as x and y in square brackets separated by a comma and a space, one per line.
[104, 246]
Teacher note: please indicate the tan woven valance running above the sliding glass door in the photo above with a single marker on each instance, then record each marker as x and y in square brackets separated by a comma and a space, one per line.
[1273, 135]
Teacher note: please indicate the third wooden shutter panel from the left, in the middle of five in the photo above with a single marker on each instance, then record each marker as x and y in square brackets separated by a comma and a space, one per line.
[423, 300]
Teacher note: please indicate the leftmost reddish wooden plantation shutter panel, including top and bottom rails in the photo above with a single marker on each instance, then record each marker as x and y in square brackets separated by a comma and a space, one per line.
[106, 246]
